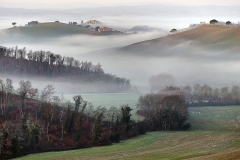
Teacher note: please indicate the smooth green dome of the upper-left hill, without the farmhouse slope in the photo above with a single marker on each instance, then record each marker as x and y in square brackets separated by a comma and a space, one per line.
[45, 30]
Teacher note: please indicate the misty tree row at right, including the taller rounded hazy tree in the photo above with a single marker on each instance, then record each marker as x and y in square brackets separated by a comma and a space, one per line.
[196, 95]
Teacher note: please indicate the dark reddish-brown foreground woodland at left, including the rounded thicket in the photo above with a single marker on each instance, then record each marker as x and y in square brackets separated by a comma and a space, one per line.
[54, 124]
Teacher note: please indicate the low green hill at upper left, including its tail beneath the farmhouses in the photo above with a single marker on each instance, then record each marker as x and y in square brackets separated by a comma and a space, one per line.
[48, 30]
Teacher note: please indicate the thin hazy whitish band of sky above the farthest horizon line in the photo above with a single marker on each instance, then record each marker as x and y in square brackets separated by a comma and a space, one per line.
[67, 4]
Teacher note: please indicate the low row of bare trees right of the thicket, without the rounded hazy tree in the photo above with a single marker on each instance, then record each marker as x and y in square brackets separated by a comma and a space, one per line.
[204, 95]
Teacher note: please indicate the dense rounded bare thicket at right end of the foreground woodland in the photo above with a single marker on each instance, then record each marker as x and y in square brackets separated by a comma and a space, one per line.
[164, 111]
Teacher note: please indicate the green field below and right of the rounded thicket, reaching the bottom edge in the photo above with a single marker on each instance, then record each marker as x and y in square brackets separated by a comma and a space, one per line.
[211, 137]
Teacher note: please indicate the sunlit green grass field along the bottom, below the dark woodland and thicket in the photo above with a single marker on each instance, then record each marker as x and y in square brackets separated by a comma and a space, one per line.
[157, 145]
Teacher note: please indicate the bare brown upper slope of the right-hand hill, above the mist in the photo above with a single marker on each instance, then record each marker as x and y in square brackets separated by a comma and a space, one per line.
[217, 38]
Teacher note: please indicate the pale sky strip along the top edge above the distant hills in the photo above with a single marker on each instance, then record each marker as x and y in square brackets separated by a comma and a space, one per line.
[96, 3]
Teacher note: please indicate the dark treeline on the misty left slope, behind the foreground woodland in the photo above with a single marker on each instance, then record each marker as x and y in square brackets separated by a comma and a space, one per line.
[19, 62]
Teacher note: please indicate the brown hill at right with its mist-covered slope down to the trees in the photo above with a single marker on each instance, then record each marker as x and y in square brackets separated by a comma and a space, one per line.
[193, 56]
